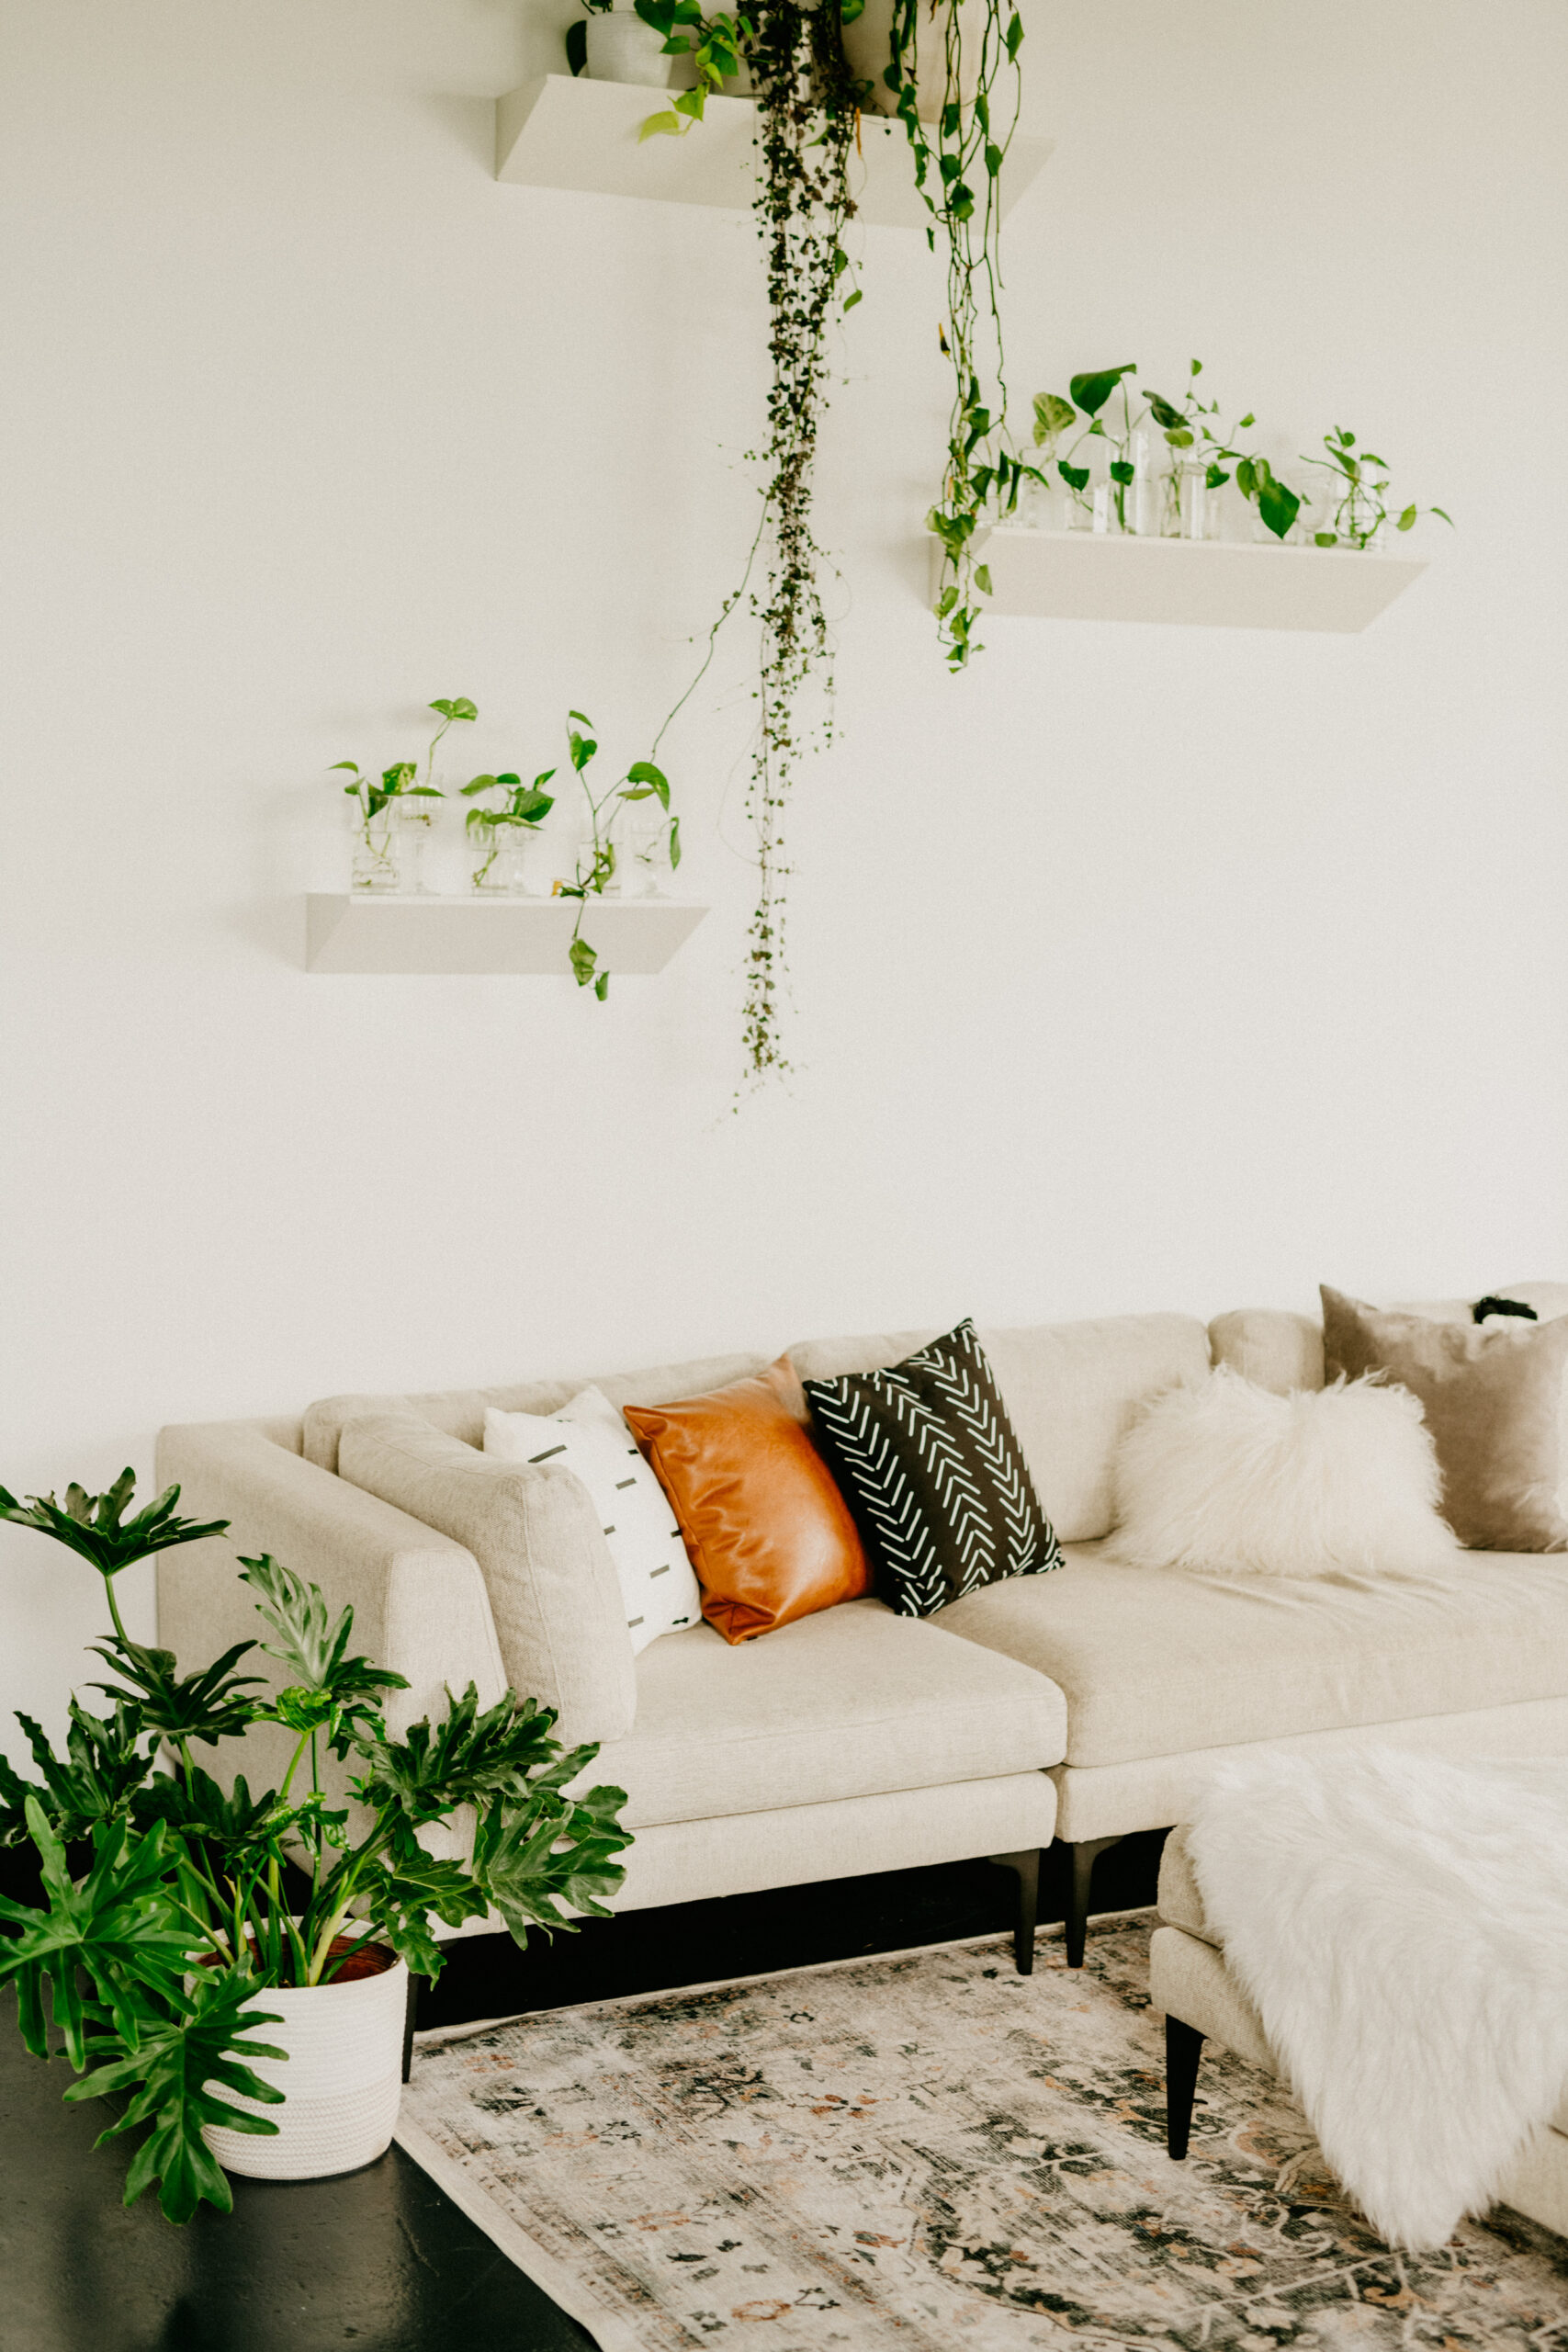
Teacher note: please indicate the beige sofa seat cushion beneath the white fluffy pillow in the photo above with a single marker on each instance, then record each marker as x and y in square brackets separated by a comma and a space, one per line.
[1160, 1662]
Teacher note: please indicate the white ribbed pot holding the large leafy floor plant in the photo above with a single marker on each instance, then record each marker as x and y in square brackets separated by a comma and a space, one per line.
[342, 2080]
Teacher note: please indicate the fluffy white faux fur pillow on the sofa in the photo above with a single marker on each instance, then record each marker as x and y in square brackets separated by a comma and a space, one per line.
[1242, 1483]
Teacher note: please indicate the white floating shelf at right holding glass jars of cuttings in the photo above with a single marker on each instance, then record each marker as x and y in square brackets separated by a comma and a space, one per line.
[1202, 584]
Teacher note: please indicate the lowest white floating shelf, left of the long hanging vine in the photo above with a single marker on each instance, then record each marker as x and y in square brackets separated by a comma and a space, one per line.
[368, 933]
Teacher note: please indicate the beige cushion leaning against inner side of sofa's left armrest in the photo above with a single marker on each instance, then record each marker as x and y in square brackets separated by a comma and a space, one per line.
[551, 1582]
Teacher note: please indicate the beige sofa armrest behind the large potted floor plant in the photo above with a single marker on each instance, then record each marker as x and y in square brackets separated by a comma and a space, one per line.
[420, 1601]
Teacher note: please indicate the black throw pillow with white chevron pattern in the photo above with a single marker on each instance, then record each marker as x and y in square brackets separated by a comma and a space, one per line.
[930, 1459]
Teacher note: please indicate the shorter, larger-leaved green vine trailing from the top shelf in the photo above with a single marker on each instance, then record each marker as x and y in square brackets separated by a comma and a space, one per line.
[958, 168]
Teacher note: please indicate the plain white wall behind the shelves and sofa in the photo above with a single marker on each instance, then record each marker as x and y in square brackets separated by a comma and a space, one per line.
[1139, 968]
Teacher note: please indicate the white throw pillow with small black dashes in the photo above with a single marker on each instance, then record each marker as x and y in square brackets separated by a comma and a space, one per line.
[591, 1441]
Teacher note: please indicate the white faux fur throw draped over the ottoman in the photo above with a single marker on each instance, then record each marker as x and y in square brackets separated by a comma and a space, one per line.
[1402, 1930]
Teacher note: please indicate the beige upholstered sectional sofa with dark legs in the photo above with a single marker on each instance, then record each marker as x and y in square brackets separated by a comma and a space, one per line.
[1085, 1704]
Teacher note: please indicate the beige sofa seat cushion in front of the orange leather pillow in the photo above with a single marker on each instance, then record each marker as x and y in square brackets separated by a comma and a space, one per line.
[852, 1702]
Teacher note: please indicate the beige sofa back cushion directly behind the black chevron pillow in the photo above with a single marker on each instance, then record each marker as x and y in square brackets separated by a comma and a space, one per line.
[1071, 1391]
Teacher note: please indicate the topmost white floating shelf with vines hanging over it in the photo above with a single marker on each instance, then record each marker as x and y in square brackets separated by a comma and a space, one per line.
[565, 133]
